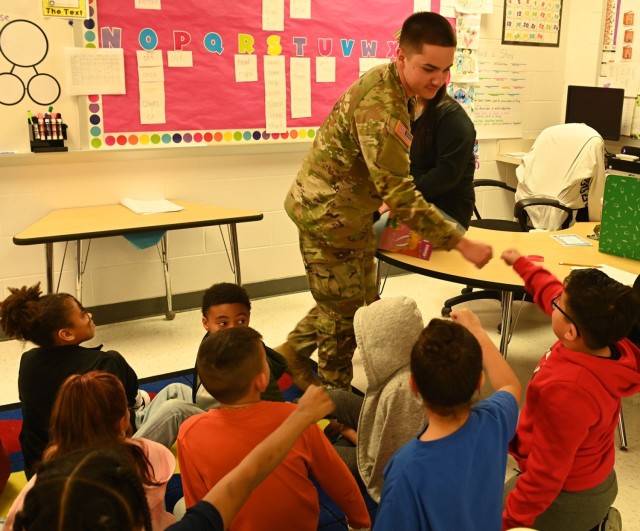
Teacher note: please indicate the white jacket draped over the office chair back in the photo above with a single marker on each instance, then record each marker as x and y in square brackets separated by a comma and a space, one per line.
[565, 163]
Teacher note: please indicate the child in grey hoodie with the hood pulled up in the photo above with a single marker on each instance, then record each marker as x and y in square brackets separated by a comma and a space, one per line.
[388, 415]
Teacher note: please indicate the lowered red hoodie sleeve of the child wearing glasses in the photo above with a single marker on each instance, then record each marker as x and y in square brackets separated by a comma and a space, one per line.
[558, 433]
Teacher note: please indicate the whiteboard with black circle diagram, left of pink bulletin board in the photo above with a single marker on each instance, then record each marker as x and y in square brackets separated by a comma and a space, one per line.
[32, 77]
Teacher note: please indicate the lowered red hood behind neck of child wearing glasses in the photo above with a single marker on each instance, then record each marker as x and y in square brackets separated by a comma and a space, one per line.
[620, 378]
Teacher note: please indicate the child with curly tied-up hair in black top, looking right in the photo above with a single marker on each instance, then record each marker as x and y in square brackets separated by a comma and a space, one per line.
[57, 323]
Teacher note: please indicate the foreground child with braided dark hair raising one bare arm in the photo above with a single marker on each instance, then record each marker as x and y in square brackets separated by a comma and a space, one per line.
[97, 488]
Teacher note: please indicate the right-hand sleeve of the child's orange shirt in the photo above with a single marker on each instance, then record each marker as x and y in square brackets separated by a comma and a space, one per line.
[336, 479]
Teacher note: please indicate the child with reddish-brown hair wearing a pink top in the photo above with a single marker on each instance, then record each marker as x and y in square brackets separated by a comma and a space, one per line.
[91, 409]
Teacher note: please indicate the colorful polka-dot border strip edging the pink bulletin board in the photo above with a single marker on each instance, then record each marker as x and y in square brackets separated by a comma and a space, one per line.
[98, 139]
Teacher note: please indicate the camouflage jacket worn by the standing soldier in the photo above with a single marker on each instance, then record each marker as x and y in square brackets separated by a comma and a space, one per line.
[359, 158]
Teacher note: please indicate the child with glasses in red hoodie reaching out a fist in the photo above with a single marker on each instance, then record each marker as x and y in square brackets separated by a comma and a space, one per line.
[564, 442]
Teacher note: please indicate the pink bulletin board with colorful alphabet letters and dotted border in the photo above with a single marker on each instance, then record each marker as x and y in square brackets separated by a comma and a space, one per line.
[232, 72]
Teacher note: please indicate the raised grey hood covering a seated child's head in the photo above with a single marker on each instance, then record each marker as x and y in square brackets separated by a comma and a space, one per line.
[386, 331]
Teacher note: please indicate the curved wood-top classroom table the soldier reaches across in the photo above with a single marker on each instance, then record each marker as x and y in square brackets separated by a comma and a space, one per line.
[451, 266]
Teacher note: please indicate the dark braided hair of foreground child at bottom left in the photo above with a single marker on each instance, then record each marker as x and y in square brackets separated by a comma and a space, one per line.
[91, 488]
